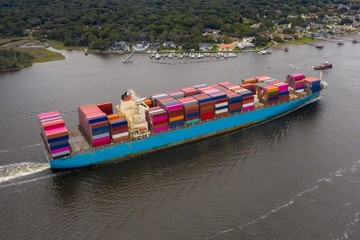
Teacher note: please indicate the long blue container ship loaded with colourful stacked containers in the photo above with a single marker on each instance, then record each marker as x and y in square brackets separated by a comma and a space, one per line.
[140, 126]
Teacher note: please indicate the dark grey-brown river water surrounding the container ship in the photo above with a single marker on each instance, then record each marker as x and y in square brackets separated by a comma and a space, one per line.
[296, 177]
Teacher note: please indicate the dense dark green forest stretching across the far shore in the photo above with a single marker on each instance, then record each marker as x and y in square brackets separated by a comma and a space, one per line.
[97, 24]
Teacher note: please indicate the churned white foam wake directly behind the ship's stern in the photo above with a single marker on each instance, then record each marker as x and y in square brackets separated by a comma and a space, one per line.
[12, 171]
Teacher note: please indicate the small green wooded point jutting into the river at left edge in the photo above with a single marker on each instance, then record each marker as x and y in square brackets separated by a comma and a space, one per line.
[11, 59]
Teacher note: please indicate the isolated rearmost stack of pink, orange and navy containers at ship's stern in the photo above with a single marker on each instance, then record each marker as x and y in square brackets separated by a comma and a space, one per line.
[54, 133]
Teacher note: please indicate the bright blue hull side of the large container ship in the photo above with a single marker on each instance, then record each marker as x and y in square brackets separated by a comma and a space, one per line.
[172, 138]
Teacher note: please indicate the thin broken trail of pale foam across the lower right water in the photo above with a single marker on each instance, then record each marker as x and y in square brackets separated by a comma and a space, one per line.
[338, 173]
